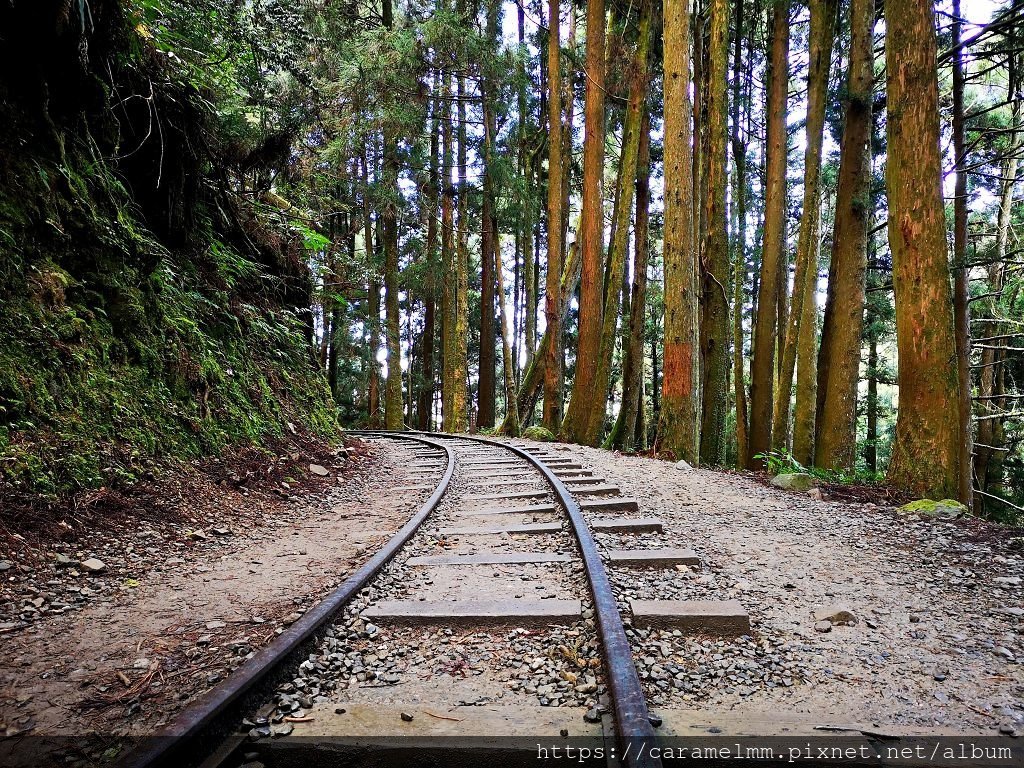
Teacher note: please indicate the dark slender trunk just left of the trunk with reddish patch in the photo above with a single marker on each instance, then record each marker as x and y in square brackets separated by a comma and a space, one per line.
[624, 433]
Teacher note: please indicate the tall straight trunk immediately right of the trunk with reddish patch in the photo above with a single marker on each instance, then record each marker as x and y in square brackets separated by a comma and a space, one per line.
[715, 292]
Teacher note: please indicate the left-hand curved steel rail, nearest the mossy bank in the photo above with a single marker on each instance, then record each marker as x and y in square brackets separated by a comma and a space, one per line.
[195, 723]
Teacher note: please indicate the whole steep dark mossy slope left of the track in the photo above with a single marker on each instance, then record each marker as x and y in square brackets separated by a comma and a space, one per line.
[146, 315]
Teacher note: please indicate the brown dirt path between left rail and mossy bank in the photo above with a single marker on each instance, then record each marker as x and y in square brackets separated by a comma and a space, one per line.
[149, 644]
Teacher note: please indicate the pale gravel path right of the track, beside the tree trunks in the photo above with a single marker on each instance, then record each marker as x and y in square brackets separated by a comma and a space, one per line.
[940, 606]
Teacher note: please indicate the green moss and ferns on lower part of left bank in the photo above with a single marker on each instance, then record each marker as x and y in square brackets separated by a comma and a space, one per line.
[120, 355]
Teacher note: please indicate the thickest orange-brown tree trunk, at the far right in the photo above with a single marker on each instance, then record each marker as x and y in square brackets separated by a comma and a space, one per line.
[926, 458]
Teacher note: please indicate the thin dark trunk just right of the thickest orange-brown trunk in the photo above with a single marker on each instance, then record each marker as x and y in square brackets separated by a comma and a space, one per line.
[962, 316]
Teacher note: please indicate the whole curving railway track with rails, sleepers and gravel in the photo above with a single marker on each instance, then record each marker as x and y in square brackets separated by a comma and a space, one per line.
[490, 614]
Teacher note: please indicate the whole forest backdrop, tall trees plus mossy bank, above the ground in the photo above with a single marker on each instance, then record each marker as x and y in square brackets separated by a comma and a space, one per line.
[760, 234]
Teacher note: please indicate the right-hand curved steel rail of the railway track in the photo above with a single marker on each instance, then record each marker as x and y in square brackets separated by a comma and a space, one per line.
[632, 717]
